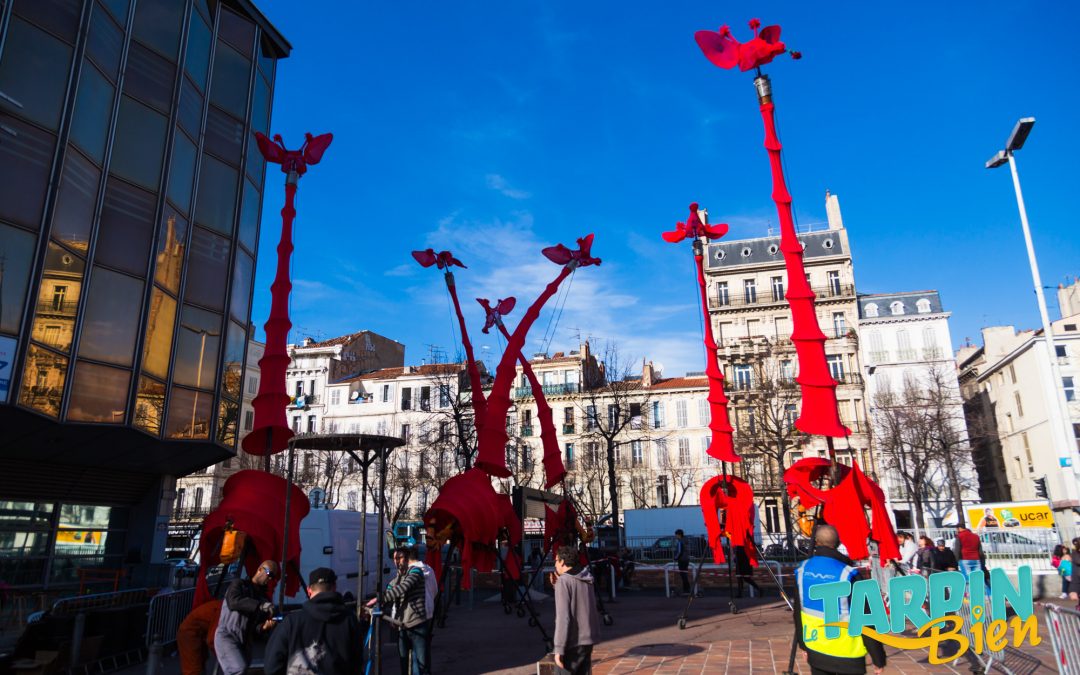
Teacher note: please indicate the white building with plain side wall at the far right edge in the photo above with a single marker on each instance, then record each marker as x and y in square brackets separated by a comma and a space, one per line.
[1009, 394]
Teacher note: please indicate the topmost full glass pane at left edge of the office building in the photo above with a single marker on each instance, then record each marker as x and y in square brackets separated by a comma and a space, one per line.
[35, 73]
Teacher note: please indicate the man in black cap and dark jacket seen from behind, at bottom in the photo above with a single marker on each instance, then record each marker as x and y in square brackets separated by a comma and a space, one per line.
[323, 639]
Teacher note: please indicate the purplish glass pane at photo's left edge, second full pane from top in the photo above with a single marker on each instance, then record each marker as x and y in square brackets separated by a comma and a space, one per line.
[26, 160]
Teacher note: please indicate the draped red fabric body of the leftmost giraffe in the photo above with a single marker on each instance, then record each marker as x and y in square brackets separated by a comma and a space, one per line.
[255, 503]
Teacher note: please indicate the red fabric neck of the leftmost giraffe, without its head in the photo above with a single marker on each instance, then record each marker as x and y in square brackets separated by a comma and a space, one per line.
[271, 433]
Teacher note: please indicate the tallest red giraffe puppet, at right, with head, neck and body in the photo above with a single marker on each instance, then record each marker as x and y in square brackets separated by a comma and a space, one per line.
[820, 414]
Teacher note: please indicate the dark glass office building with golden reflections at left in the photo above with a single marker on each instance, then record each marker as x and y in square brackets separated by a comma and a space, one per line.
[130, 197]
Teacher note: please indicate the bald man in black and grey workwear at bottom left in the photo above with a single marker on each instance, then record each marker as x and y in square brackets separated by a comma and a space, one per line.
[246, 610]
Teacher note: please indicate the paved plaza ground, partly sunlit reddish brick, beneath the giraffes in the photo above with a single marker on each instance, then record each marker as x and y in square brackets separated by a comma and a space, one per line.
[646, 640]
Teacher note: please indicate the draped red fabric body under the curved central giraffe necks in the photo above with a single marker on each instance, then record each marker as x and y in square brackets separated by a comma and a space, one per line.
[476, 515]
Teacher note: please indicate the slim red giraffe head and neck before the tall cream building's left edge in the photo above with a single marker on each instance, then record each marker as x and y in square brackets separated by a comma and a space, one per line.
[699, 232]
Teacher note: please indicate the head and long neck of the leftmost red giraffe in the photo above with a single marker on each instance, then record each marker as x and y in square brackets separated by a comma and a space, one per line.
[272, 433]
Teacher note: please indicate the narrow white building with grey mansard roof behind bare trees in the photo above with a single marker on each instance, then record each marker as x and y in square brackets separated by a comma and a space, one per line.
[910, 373]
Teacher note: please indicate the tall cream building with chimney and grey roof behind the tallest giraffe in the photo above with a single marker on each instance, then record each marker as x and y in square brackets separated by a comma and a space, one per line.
[753, 327]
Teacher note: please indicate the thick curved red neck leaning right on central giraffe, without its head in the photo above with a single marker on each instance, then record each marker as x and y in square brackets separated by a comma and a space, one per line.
[492, 452]
